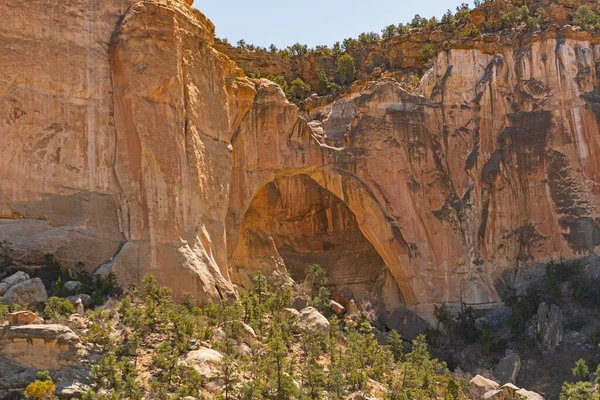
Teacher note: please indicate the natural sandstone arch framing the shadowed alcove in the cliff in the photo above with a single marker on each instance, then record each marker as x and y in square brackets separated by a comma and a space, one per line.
[277, 143]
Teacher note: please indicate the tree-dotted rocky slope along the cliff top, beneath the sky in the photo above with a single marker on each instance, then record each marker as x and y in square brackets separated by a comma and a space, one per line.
[421, 37]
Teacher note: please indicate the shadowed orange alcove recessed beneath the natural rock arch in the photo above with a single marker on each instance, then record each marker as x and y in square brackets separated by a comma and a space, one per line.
[295, 220]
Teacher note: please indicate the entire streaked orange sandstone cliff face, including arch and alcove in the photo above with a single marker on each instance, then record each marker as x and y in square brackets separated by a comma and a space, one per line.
[131, 145]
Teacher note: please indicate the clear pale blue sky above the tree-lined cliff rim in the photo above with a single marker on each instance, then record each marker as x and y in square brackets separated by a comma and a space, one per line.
[312, 21]
